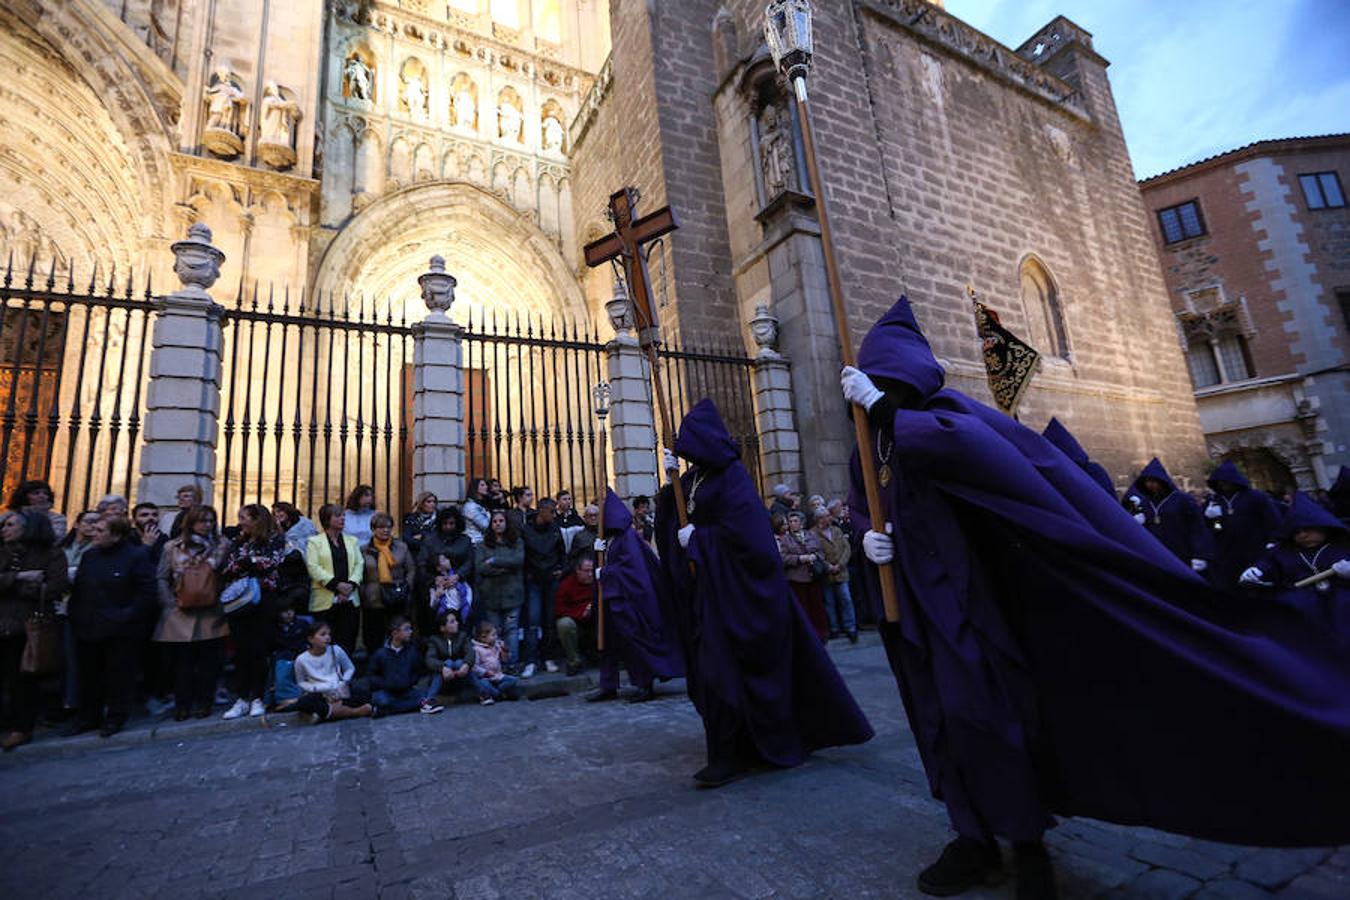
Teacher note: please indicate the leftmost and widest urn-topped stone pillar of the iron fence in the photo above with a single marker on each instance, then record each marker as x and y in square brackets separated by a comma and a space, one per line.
[183, 401]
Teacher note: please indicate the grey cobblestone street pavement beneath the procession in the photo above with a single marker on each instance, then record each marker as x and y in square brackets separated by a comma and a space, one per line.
[542, 799]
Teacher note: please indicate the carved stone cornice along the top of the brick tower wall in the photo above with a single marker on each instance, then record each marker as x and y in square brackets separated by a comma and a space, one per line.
[946, 32]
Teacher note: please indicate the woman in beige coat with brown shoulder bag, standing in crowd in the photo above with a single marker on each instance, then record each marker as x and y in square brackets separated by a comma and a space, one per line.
[196, 635]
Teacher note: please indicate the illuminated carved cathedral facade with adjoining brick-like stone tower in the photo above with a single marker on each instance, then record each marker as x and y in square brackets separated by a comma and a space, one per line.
[334, 148]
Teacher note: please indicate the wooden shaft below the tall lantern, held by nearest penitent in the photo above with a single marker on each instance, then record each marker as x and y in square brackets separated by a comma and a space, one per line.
[862, 428]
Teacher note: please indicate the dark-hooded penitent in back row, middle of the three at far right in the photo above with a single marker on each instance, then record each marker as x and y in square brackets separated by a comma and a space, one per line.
[1243, 520]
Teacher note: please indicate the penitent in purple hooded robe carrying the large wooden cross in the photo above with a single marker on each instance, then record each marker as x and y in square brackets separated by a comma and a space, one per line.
[758, 675]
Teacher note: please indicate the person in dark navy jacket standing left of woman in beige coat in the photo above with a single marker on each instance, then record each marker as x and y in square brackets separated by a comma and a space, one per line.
[113, 605]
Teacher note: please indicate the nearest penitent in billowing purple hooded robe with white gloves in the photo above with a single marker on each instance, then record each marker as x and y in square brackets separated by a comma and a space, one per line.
[1055, 659]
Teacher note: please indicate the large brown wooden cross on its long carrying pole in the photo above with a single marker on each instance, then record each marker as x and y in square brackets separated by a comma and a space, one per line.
[627, 244]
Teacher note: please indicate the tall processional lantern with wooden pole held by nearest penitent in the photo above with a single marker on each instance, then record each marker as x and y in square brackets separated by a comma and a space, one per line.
[789, 33]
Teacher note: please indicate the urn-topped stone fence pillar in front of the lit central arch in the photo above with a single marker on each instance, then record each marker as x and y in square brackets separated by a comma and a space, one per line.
[438, 392]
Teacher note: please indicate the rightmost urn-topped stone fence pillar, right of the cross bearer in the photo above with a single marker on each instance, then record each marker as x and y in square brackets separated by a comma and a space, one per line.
[781, 447]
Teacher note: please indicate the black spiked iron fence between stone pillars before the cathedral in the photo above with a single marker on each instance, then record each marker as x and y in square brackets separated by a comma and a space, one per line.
[317, 396]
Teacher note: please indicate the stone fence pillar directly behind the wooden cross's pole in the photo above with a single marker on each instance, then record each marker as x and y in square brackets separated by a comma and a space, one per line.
[632, 424]
